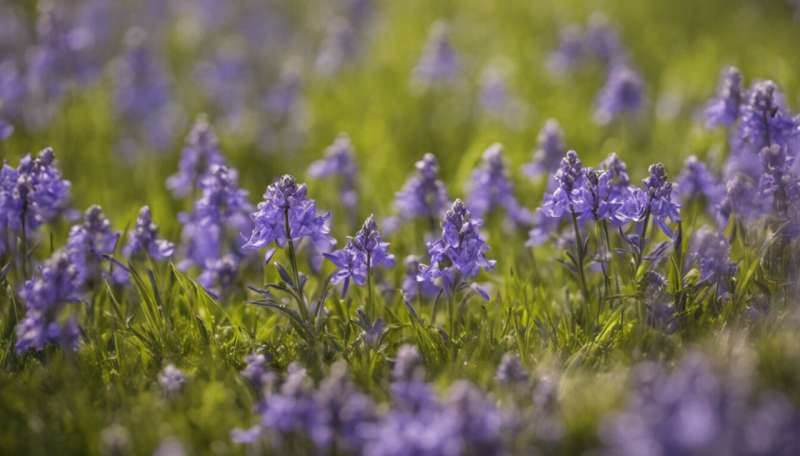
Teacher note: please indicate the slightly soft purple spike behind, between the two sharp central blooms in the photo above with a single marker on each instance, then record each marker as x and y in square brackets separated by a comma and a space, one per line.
[423, 195]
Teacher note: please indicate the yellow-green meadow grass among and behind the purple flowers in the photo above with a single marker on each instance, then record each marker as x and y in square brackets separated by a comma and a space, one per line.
[58, 402]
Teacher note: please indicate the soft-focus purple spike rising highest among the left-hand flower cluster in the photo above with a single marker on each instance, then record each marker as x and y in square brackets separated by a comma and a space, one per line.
[199, 155]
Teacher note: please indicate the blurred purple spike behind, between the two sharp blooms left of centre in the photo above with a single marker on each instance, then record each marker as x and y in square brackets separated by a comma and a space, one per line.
[339, 160]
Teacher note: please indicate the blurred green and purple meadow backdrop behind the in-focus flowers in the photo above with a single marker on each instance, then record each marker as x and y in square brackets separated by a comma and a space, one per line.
[114, 86]
